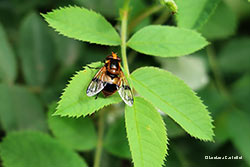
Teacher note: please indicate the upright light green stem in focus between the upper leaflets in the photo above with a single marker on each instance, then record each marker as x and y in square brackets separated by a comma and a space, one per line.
[124, 24]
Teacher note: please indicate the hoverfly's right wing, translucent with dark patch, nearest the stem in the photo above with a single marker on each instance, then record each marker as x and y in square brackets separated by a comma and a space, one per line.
[125, 91]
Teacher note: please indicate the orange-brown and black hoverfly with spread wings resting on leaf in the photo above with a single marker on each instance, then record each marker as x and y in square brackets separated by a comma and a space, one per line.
[109, 79]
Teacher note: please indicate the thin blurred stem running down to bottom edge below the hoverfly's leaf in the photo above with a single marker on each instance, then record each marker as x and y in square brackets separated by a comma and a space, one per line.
[98, 152]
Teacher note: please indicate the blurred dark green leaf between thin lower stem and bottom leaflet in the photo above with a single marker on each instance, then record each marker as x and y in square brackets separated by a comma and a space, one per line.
[116, 141]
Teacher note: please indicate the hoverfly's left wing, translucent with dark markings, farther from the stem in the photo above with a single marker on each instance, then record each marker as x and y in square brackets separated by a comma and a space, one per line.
[97, 83]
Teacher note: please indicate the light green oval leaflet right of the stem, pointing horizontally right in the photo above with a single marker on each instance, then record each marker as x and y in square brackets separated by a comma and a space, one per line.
[166, 41]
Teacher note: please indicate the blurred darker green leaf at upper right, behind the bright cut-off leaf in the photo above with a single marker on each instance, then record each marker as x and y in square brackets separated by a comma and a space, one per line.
[222, 24]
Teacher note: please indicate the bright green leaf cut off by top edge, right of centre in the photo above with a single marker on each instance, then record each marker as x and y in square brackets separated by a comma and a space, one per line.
[194, 13]
